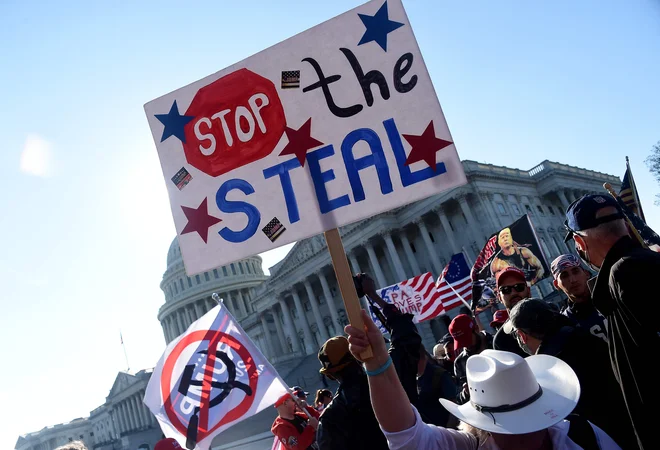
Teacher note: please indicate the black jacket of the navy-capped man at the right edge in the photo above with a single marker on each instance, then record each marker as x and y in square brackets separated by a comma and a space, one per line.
[624, 292]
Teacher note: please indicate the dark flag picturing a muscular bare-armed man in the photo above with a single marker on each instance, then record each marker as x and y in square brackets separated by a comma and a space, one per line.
[516, 245]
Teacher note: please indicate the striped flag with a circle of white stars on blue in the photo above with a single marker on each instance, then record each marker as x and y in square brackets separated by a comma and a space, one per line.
[453, 283]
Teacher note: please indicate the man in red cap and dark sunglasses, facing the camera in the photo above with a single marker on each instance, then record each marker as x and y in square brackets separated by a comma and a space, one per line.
[512, 288]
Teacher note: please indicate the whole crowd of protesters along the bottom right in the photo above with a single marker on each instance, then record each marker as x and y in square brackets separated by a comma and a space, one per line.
[577, 378]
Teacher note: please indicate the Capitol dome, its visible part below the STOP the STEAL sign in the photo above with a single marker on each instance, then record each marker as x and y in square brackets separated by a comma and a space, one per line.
[189, 298]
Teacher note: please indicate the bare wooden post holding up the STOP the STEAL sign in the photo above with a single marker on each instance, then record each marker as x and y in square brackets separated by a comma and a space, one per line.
[345, 281]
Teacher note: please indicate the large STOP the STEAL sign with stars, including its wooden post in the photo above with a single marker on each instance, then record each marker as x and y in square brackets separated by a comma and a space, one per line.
[331, 126]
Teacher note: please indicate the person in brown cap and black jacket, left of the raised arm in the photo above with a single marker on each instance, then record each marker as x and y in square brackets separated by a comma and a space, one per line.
[348, 422]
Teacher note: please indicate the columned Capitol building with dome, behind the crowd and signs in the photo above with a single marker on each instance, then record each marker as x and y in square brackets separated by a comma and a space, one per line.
[291, 312]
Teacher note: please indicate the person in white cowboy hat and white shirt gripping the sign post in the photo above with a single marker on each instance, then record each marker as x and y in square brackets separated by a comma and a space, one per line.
[515, 403]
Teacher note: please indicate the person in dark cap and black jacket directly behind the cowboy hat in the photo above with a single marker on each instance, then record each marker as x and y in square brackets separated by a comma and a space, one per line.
[543, 331]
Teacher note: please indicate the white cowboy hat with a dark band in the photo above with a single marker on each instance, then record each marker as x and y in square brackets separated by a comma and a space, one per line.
[512, 395]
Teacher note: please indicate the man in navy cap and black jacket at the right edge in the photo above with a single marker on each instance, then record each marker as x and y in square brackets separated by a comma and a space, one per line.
[624, 293]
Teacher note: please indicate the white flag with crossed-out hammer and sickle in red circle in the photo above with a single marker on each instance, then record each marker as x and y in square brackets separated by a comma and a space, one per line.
[210, 378]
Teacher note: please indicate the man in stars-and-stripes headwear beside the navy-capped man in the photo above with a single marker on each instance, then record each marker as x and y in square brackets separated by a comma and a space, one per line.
[571, 278]
